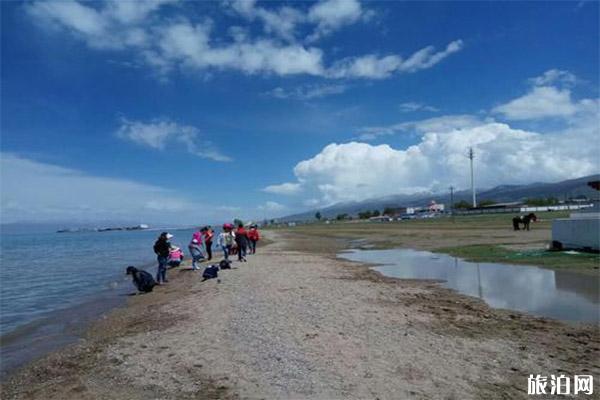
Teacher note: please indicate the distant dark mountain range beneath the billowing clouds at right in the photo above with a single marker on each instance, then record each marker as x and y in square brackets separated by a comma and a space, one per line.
[501, 194]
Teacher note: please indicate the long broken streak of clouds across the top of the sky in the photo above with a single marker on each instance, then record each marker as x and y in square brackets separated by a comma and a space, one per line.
[167, 44]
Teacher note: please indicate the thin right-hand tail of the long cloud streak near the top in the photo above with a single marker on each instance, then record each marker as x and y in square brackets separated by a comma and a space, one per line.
[374, 67]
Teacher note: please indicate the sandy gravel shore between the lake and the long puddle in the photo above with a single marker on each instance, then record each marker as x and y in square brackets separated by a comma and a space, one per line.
[298, 325]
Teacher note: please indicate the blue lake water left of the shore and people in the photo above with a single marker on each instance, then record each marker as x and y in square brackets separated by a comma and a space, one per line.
[52, 283]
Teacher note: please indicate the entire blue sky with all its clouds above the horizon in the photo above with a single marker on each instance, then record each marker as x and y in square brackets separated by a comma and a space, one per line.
[170, 111]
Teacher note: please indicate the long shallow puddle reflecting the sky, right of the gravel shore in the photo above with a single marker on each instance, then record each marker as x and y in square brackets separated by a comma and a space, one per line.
[562, 295]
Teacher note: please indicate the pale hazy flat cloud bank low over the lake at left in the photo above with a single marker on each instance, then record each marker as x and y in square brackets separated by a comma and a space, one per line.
[35, 191]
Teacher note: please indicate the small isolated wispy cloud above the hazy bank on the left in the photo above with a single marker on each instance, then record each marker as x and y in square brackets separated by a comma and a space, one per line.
[160, 134]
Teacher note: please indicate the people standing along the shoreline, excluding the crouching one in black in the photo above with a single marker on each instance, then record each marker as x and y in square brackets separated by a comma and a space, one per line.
[231, 240]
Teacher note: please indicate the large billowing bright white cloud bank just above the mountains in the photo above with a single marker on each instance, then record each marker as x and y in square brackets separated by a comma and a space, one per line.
[356, 171]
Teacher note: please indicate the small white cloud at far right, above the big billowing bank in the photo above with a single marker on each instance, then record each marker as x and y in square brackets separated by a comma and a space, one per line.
[540, 102]
